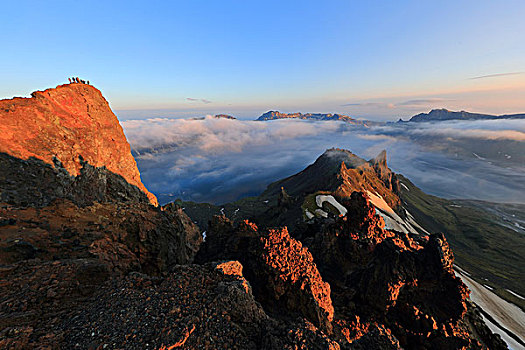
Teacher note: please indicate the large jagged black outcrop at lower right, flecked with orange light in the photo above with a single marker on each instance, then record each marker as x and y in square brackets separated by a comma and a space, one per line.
[404, 283]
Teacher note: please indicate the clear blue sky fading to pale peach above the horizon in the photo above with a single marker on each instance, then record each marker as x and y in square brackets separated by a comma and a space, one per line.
[370, 59]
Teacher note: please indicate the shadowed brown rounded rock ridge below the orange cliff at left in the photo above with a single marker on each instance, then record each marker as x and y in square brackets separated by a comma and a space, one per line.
[55, 259]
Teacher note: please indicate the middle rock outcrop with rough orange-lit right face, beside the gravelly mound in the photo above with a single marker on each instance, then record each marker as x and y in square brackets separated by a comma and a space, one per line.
[281, 271]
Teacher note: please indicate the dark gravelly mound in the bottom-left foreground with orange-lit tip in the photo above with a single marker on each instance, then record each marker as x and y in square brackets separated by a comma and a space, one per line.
[194, 306]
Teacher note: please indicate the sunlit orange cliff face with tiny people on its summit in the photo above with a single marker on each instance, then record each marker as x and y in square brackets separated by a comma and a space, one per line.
[68, 125]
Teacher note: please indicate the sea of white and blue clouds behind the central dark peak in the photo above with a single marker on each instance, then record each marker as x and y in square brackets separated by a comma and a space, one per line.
[221, 160]
